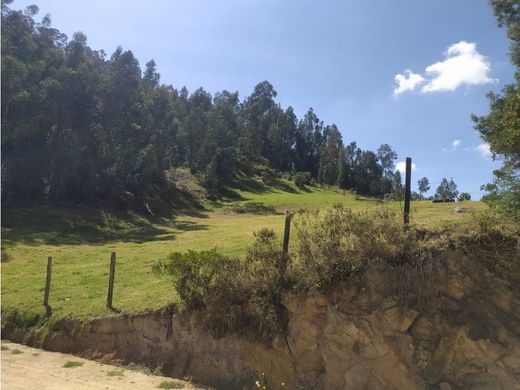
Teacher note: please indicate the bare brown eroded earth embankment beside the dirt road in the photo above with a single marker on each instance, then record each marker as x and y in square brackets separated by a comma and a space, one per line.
[452, 323]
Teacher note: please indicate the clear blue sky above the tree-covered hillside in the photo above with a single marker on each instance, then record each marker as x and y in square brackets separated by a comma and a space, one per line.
[339, 57]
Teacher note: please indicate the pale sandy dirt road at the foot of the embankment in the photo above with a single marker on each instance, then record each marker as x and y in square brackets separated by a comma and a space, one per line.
[29, 368]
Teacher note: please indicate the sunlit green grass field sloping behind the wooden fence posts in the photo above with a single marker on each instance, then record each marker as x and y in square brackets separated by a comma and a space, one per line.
[80, 240]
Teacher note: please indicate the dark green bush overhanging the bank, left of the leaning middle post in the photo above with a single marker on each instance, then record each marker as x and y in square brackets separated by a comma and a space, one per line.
[231, 294]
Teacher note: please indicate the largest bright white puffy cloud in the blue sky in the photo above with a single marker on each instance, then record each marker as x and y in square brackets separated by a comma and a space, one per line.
[463, 65]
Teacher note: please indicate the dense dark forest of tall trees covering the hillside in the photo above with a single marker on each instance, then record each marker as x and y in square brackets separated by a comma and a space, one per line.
[78, 126]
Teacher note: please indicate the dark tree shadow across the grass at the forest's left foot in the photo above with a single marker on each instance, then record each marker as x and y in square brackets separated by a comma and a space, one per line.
[37, 225]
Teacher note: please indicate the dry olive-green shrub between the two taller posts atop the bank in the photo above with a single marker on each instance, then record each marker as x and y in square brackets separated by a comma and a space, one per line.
[335, 244]
